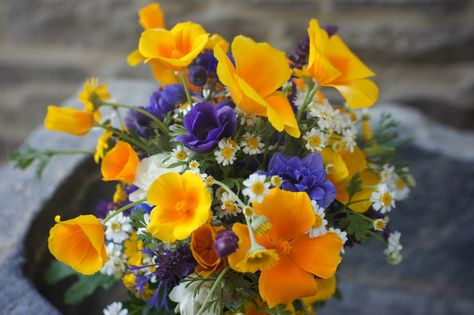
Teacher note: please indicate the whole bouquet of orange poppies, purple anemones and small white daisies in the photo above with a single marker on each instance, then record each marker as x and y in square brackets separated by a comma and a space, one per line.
[239, 185]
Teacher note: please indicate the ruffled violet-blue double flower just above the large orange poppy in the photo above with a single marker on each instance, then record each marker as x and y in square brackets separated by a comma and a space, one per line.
[306, 175]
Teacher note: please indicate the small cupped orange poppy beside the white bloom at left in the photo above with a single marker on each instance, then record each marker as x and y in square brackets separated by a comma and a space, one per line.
[120, 163]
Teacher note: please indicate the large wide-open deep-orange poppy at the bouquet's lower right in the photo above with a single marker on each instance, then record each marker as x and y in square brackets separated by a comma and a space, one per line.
[301, 258]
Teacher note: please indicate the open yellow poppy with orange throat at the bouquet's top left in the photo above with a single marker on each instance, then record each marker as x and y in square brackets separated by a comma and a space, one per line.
[175, 48]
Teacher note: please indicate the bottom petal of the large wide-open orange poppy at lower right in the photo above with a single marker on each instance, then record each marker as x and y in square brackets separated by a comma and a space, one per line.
[285, 283]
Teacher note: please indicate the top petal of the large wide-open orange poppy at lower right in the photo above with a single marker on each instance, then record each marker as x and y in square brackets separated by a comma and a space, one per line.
[290, 213]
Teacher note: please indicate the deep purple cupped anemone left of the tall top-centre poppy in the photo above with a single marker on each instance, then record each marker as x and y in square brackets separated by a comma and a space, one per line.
[206, 124]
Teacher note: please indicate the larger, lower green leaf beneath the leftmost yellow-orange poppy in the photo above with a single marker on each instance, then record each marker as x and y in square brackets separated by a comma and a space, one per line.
[85, 286]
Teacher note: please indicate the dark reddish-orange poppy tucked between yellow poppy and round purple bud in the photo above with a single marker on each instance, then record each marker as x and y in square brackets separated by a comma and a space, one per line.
[202, 242]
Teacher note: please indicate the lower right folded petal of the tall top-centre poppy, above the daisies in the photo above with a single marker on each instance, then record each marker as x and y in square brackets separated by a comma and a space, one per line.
[281, 115]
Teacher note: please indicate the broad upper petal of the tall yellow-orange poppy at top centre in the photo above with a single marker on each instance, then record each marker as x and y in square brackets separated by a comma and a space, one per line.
[272, 64]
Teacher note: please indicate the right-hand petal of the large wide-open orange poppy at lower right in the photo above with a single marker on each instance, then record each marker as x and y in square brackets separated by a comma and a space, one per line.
[319, 255]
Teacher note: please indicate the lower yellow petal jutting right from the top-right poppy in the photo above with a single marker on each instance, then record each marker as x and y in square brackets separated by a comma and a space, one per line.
[358, 93]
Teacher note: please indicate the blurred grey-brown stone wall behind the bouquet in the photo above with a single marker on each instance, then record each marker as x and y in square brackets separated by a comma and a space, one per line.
[422, 50]
